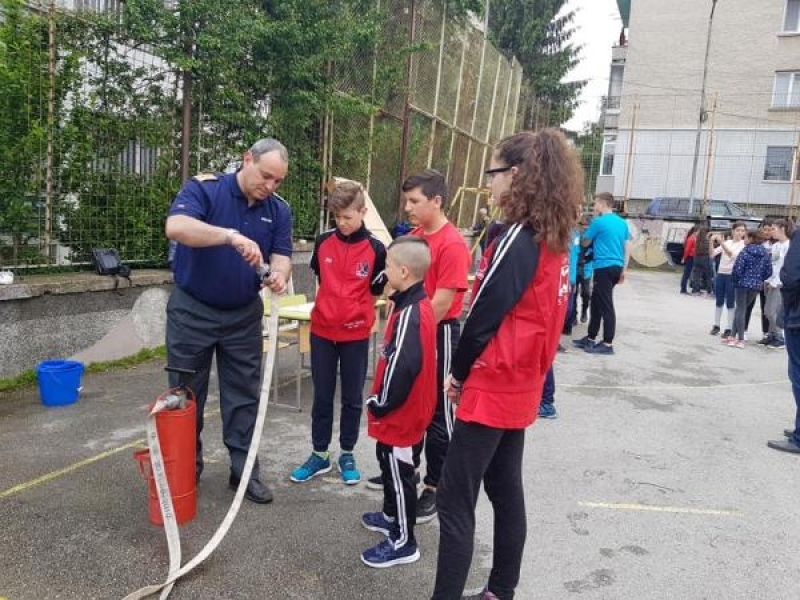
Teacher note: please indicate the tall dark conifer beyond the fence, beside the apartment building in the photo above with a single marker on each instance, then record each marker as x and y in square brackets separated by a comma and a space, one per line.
[539, 35]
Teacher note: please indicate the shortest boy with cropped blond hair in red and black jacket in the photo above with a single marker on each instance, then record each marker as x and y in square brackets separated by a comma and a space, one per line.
[402, 402]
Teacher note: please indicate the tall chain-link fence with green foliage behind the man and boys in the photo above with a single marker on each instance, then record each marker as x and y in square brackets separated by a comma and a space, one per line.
[99, 123]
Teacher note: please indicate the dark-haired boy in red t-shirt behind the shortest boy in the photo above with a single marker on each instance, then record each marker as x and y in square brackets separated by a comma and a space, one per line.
[425, 196]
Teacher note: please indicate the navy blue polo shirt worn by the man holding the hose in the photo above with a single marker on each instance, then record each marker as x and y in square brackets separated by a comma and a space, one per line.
[218, 275]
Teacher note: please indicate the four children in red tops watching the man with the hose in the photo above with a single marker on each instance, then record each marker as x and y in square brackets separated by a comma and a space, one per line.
[493, 373]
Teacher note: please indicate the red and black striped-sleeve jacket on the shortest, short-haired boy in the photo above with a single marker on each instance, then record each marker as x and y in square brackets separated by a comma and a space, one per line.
[404, 389]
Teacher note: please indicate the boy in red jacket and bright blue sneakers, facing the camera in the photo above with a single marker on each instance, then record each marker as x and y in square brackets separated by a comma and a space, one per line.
[348, 262]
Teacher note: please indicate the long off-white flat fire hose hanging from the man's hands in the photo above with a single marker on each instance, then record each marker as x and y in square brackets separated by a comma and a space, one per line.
[162, 487]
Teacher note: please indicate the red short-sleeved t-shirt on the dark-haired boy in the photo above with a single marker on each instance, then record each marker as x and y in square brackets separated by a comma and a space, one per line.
[450, 262]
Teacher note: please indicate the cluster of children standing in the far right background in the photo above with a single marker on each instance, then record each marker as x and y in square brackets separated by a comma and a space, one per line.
[749, 267]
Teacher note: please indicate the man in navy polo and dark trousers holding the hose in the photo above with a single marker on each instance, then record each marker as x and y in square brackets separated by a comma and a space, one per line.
[225, 227]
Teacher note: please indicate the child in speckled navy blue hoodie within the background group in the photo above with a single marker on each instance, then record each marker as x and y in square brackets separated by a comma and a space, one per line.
[753, 266]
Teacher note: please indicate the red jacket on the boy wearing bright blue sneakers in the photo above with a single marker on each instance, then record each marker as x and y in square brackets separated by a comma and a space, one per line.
[350, 274]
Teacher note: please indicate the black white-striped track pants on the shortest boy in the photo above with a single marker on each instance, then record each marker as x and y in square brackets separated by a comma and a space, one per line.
[399, 491]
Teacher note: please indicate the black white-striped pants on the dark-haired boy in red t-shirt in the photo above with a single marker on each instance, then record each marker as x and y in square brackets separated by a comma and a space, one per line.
[437, 437]
